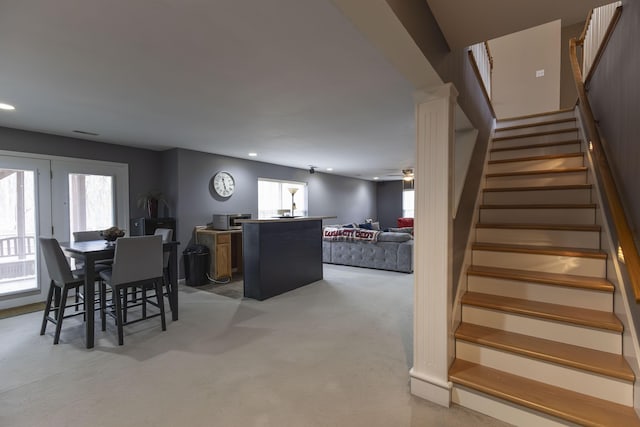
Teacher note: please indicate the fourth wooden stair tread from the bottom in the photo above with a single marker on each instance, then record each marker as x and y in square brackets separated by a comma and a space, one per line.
[569, 280]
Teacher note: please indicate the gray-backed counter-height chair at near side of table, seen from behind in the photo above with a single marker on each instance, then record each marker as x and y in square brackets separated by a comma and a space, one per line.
[137, 263]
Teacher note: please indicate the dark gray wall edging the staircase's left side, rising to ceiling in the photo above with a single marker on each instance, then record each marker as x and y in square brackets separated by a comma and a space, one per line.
[454, 67]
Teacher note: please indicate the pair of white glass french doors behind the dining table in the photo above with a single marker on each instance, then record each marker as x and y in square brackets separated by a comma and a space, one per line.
[51, 196]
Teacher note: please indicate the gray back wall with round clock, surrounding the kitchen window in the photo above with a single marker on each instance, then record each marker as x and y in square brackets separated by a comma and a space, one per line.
[189, 172]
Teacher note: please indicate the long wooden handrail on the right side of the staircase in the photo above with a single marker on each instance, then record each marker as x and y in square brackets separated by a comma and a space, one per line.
[626, 243]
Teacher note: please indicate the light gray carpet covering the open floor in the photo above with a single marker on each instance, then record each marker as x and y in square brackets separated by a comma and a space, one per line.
[334, 353]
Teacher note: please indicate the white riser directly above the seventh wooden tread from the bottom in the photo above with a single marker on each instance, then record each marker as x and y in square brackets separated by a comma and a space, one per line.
[514, 197]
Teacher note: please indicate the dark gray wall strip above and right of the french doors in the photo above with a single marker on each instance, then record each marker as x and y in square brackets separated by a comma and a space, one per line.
[145, 173]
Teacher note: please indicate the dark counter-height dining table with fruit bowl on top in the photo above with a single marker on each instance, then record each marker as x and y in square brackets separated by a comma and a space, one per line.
[97, 250]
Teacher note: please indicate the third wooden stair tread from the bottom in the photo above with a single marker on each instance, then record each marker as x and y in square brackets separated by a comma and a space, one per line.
[560, 313]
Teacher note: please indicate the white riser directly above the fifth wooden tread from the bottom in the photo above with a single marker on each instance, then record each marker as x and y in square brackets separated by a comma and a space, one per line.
[563, 238]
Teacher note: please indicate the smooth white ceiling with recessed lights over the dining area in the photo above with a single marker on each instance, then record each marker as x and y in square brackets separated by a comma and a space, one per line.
[294, 80]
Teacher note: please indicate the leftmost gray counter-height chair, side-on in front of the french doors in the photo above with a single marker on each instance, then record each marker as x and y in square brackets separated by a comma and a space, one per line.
[62, 280]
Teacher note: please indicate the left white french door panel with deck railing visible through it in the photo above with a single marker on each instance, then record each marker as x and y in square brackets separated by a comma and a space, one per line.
[25, 215]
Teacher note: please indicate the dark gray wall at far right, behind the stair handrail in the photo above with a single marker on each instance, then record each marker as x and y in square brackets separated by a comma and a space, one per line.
[614, 94]
